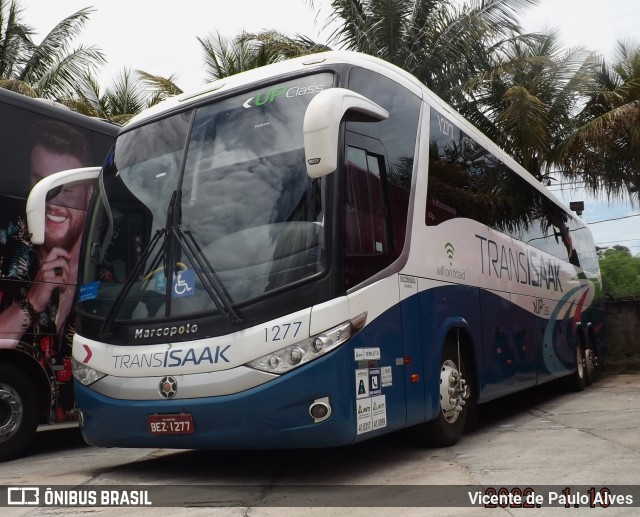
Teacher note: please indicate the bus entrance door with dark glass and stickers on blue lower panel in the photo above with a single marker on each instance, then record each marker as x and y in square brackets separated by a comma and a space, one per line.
[373, 238]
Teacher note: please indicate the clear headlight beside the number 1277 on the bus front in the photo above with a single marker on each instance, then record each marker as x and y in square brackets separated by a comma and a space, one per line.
[300, 353]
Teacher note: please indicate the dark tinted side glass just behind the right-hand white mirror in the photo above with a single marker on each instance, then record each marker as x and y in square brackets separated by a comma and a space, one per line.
[377, 181]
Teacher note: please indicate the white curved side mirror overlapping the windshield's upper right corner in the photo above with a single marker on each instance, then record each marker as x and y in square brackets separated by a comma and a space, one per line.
[322, 126]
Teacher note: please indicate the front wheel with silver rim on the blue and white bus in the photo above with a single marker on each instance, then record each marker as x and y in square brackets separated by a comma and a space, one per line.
[455, 400]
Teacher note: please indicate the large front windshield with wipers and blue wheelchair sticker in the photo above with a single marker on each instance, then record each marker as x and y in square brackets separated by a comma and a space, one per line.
[206, 209]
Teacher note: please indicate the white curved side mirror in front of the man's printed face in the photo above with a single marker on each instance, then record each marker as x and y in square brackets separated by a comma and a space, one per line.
[49, 187]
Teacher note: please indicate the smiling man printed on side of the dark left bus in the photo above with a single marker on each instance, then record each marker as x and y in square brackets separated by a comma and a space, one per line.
[36, 307]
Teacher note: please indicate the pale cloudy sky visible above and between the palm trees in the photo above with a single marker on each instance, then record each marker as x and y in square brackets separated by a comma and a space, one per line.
[160, 37]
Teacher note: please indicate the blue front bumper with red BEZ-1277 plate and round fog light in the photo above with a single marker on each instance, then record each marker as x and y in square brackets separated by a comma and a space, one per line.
[274, 415]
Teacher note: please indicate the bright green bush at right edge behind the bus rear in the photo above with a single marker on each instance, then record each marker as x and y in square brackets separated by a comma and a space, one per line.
[620, 273]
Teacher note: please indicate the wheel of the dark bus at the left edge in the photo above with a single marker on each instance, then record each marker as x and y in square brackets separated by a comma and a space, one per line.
[18, 411]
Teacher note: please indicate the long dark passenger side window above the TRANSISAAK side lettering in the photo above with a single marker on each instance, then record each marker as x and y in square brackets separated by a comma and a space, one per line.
[466, 180]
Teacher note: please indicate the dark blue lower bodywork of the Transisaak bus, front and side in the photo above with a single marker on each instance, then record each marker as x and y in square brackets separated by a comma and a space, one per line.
[511, 355]
